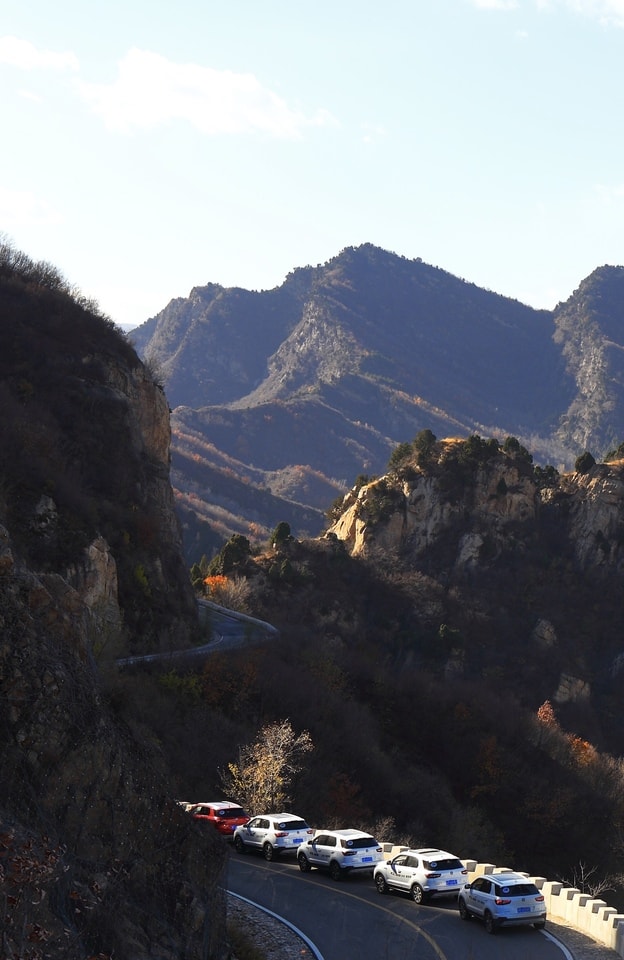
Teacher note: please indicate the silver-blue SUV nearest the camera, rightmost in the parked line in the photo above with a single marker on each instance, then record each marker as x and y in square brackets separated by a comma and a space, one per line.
[503, 898]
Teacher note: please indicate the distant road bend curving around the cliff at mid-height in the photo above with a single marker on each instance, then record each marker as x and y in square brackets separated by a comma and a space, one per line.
[229, 630]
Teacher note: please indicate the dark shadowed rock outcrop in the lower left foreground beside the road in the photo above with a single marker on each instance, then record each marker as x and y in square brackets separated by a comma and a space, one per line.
[97, 858]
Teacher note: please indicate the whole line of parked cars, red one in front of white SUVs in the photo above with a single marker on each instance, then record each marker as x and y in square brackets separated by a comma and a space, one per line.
[499, 899]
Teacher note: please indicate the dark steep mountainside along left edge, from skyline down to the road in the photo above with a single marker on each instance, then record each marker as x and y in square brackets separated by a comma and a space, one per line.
[96, 858]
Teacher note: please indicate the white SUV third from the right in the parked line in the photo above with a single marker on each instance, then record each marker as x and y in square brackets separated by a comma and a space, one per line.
[340, 852]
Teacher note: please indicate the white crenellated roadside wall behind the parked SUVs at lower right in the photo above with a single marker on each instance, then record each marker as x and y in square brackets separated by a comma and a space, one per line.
[587, 914]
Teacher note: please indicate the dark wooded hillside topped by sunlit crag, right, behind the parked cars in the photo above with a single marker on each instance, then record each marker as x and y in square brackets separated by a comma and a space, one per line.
[452, 644]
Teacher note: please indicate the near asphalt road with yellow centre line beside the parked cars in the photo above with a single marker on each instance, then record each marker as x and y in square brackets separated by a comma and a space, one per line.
[350, 920]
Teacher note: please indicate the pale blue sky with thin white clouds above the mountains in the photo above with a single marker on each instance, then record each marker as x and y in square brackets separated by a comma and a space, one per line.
[149, 147]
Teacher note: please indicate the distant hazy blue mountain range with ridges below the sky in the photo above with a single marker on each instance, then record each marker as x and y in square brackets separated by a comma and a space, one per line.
[296, 391]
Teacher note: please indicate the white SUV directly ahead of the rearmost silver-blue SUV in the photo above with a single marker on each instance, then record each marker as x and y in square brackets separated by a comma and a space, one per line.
[421, 873]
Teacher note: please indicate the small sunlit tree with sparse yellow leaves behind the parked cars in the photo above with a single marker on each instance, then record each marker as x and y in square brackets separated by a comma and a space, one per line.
[261, 778]
